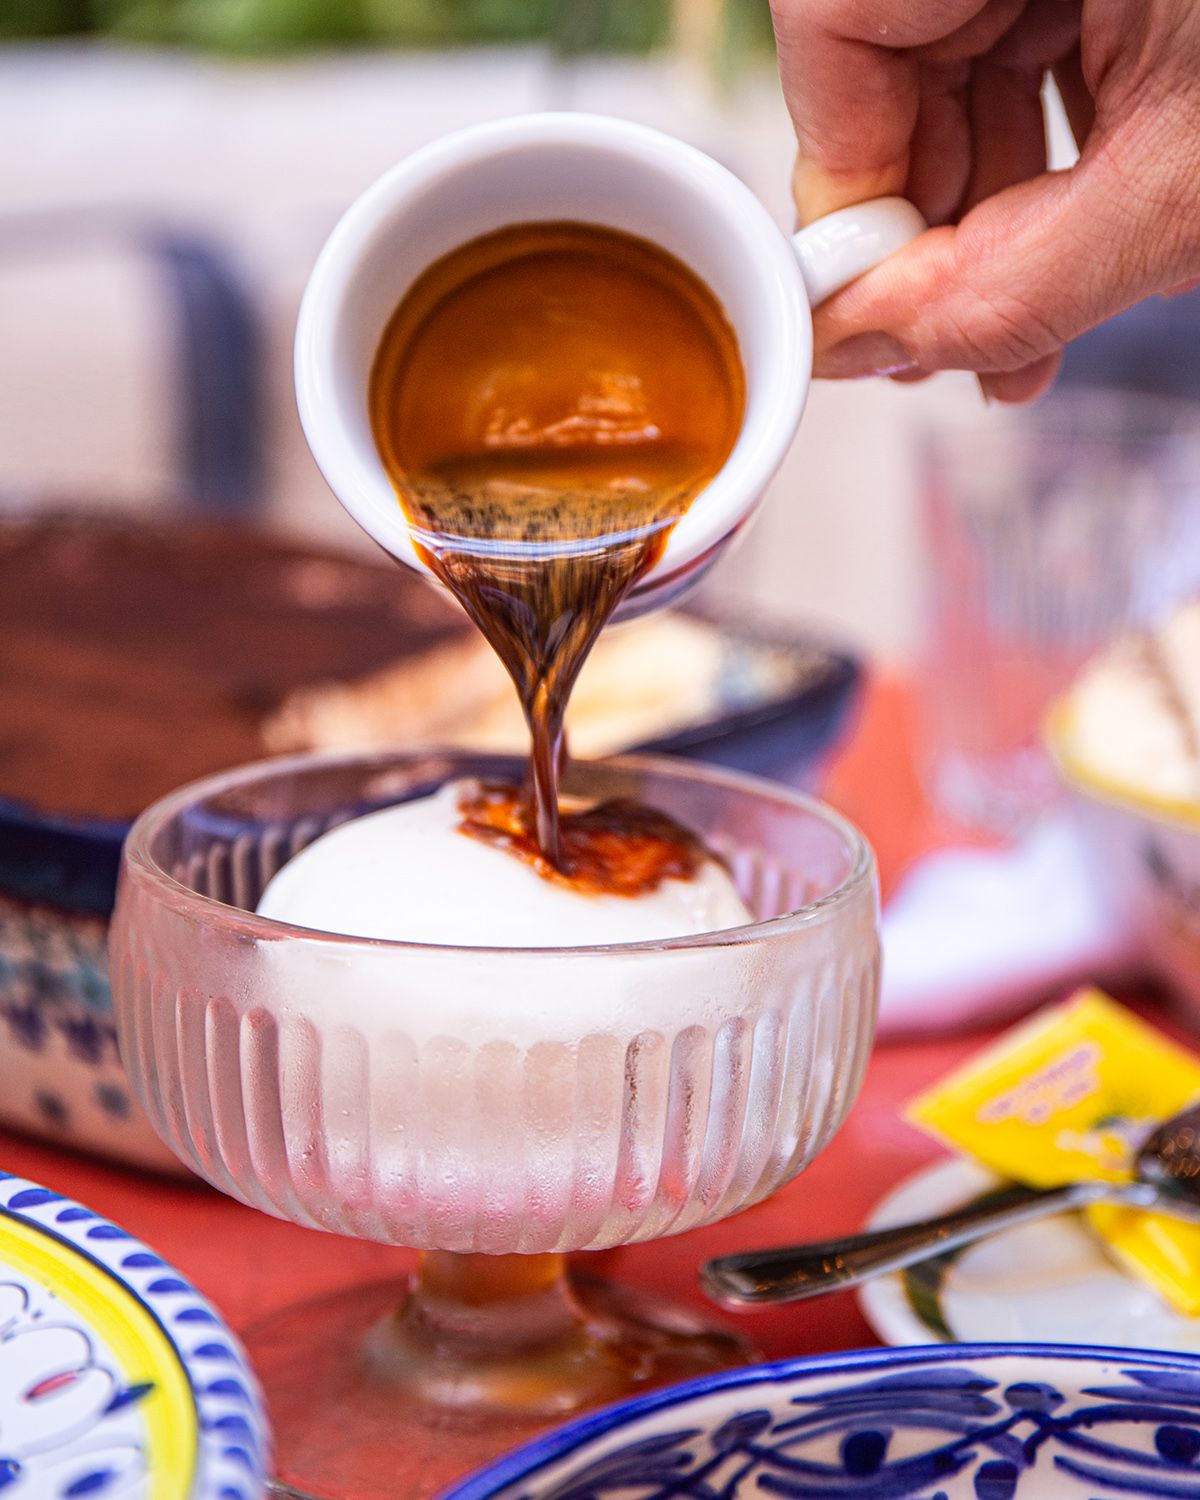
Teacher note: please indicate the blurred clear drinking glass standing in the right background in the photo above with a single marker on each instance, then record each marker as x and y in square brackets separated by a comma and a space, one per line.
[1048, 529]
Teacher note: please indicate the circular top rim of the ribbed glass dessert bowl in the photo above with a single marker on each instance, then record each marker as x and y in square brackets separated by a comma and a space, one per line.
[142, 868]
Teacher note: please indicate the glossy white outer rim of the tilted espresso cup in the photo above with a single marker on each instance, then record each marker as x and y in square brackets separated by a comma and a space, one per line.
[775, 406]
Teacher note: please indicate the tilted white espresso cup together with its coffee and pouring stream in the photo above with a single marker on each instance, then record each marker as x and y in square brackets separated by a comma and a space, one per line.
[554, 362]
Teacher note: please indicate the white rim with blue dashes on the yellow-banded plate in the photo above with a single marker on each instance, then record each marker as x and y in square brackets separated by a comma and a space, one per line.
[233, 1445]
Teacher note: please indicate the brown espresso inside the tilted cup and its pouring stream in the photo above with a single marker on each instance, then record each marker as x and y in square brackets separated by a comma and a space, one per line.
[548, 401]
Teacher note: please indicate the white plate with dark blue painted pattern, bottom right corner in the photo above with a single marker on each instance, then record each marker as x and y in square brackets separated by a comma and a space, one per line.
[961, 1423]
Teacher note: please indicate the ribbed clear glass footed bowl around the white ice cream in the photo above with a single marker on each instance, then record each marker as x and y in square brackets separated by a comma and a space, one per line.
[490, 1108]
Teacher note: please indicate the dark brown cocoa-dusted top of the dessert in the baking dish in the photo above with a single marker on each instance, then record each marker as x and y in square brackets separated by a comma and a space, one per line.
[139, 658]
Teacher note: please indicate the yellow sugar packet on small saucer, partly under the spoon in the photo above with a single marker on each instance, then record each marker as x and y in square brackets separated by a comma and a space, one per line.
[1069, 1096]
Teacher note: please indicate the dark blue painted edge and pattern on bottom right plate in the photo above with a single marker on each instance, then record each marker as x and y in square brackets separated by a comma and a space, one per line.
[874, 1411]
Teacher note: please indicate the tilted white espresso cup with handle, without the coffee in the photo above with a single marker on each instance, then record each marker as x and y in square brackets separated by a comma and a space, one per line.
[592, 170]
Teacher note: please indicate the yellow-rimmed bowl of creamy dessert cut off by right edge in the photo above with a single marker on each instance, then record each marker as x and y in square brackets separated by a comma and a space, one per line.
[1127, 743]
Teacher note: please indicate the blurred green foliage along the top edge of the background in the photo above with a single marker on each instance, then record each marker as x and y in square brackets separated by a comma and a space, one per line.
[272, 26]
